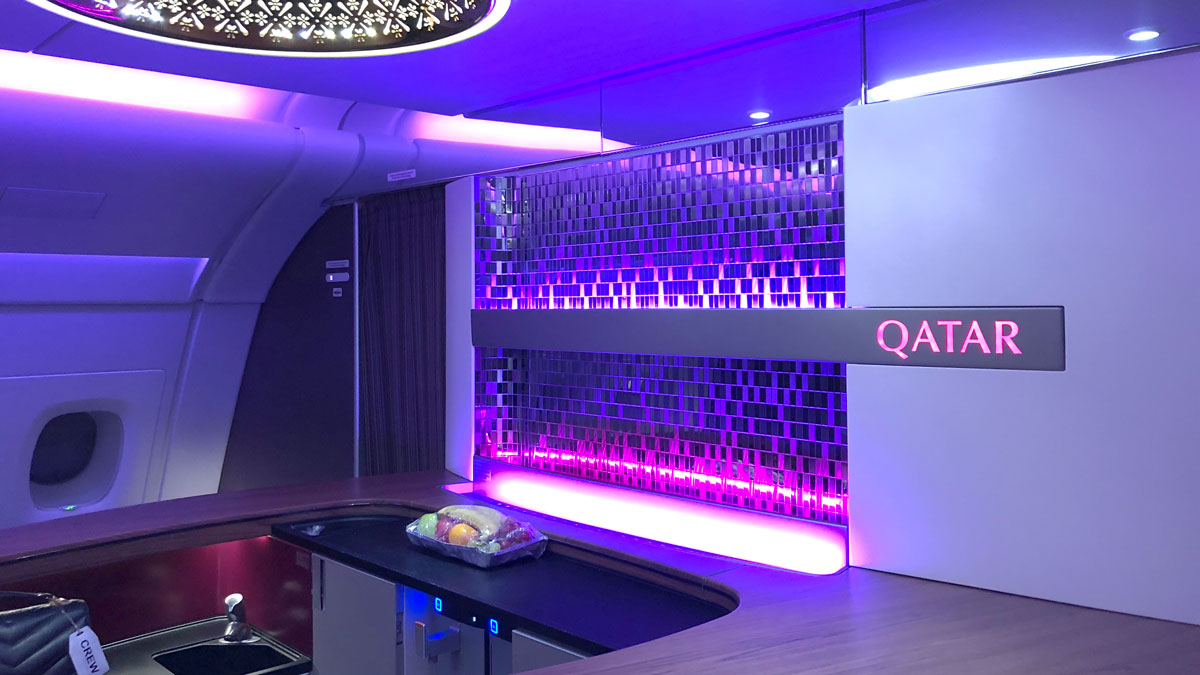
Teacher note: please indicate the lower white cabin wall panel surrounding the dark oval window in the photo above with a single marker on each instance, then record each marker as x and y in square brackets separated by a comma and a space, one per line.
[111, 359]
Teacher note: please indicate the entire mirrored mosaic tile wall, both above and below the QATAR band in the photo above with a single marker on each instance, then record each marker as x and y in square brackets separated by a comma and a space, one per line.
[752, 223]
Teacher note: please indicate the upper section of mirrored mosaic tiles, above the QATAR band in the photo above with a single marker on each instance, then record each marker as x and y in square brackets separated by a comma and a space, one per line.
[749, 223]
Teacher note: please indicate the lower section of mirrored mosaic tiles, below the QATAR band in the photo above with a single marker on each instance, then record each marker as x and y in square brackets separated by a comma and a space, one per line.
[769, 435]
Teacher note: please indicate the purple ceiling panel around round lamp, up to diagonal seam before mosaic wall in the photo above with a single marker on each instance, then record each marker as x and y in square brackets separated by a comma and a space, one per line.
[539, 47]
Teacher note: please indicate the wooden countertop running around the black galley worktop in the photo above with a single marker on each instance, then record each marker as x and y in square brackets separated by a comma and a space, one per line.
[859, 622]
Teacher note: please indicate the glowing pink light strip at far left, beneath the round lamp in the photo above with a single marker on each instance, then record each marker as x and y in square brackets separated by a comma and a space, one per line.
[100, 82]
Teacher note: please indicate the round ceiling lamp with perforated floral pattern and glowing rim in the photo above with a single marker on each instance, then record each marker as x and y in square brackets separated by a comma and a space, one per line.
[292, 28]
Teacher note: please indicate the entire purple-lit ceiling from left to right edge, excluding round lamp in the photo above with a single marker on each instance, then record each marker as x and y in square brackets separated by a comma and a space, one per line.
[644, 71]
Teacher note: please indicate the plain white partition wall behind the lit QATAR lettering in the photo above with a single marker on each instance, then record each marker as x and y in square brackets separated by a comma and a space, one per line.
[1078, 190]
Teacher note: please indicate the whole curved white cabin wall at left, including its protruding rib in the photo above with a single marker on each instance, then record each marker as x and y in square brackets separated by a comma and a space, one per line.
[136, 249]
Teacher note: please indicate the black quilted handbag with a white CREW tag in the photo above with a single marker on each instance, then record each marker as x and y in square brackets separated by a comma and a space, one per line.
[35, 640]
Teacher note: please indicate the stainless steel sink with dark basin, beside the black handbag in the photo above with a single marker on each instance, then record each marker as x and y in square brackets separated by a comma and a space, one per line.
[197, 649]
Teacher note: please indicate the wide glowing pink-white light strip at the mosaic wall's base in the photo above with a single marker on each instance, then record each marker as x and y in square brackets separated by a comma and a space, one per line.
[799, 546]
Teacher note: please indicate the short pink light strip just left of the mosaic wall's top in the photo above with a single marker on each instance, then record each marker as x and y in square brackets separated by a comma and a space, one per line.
[488, 133]
